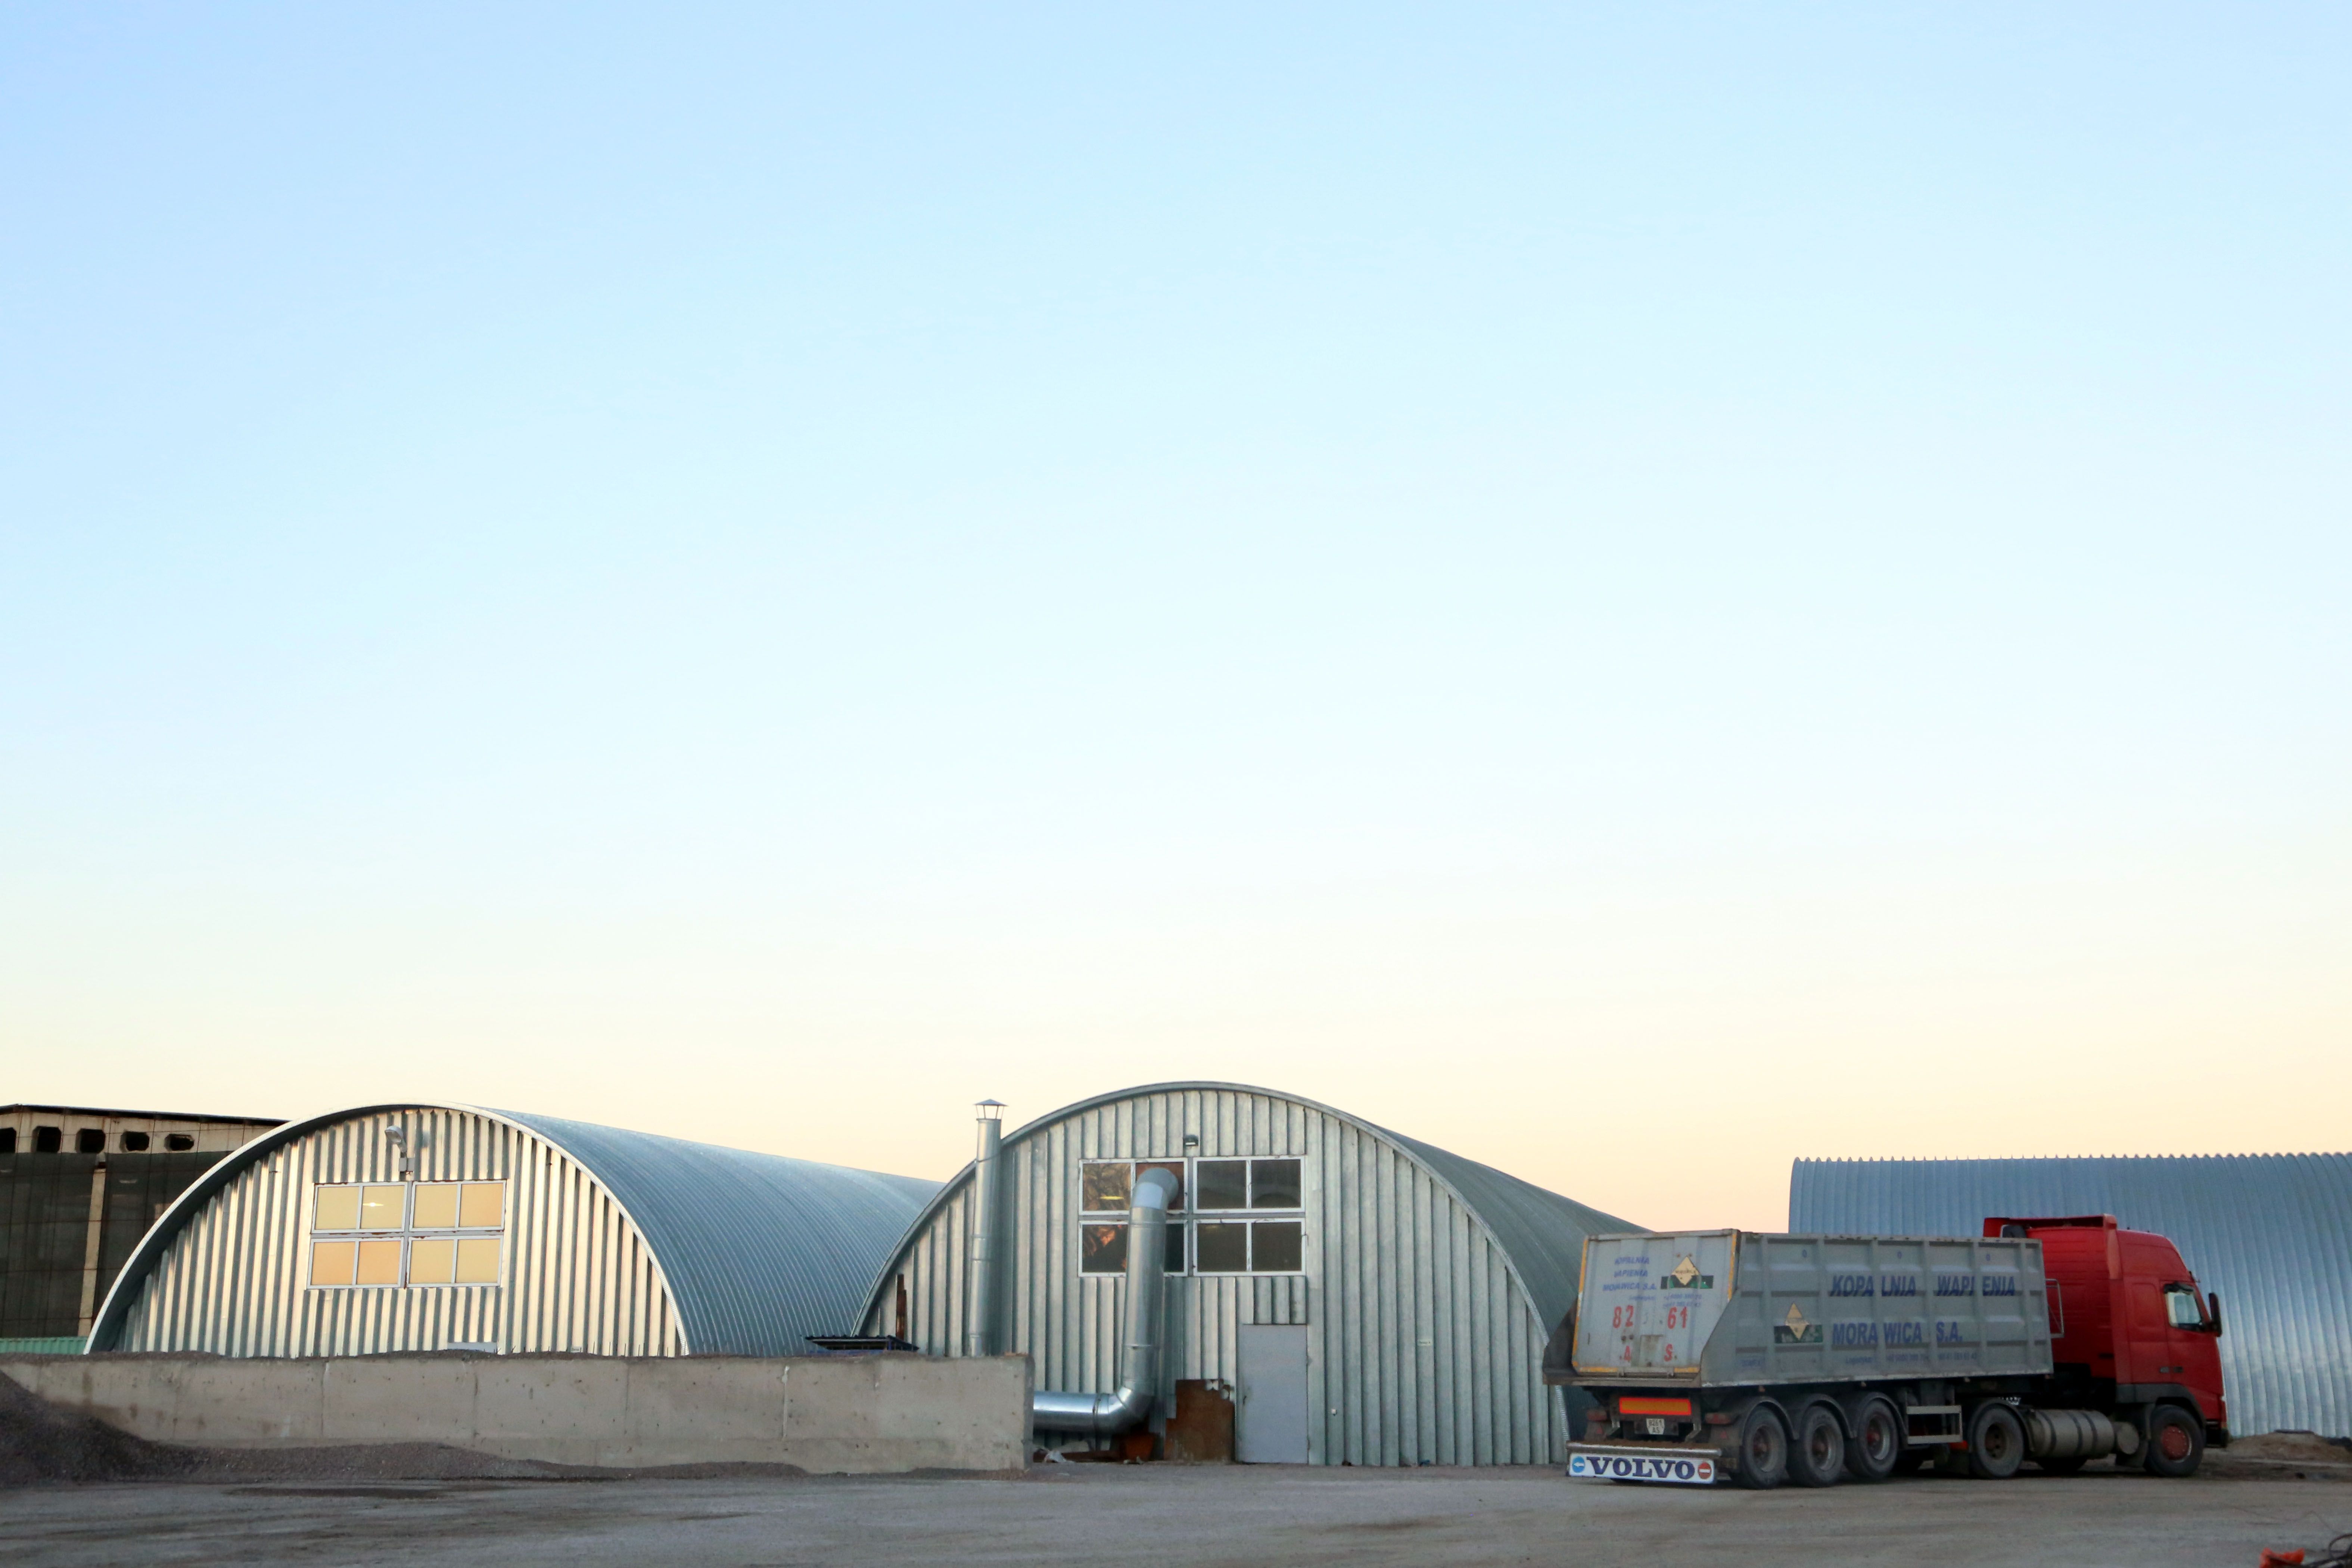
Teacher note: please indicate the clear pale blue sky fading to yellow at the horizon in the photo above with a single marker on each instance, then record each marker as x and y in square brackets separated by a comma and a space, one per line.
[1631, 591]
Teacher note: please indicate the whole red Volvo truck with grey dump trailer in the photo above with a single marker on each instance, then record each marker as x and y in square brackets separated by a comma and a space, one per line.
[1760, 1358]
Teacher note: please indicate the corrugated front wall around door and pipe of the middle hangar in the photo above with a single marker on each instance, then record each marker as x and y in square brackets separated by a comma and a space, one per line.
[1424, 1346]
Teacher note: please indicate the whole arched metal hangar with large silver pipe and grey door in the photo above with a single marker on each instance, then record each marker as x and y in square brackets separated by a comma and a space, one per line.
[1365, 1296]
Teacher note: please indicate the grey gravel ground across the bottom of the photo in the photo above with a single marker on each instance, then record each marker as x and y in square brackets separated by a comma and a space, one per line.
[1175, 1515]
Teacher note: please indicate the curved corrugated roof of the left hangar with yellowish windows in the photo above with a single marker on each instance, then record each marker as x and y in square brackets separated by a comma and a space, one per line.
[756, 1249]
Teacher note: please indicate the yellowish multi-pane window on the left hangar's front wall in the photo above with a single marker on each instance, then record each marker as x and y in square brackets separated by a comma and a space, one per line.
[408, 1233]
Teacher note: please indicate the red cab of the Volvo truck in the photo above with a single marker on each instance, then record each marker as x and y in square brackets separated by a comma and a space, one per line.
[2127, 1318]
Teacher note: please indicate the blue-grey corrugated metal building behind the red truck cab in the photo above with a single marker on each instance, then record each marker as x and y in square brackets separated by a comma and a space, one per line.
[2273, 1233]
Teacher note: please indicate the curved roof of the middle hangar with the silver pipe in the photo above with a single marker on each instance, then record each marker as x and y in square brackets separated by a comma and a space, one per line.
[1542, 1233]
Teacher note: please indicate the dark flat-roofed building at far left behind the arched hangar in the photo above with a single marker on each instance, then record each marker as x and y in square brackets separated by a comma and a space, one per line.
[79, 1186]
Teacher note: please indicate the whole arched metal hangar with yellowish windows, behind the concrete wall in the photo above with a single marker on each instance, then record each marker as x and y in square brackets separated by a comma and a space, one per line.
[450, 1226]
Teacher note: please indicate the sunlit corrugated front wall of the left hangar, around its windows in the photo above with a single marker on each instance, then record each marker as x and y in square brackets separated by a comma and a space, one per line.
[577, 1273]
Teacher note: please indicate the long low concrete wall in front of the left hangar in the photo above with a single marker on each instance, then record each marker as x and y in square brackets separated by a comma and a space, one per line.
[822, 1414]
